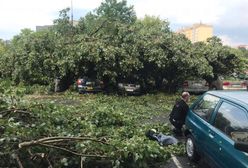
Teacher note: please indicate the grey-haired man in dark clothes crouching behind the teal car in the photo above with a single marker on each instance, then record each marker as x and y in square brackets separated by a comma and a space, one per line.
[179, 112]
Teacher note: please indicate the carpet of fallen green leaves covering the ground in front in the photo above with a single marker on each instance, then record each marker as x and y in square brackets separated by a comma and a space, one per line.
[119, 122]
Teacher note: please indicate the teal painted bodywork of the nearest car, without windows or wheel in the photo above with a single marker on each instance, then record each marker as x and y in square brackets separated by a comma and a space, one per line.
[217, 147]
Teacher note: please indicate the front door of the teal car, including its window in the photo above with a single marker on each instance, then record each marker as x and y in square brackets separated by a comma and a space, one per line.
[228, 119]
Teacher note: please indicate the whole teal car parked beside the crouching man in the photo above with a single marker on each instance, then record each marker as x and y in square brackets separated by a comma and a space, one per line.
[217, 129]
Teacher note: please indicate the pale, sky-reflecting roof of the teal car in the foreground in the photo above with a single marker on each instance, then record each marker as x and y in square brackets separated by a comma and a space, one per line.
[234, 96]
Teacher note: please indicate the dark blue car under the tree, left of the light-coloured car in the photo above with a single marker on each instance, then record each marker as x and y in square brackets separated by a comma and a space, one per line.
[85, 85]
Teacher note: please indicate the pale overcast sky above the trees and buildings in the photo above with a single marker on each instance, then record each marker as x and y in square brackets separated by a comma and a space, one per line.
[228, 17]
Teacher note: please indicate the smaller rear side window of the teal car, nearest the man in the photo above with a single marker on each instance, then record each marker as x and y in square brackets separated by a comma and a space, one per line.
[206, 106]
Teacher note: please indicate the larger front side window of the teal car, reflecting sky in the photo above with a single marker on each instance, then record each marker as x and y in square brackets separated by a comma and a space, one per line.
[233, 121]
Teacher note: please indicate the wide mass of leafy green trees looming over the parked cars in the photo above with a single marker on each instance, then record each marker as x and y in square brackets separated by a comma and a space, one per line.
[110, 44]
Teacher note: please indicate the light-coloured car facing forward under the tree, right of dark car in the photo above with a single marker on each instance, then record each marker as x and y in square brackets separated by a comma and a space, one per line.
[129, 88]
